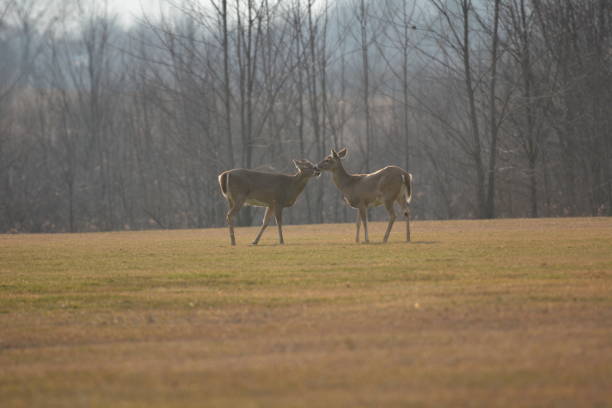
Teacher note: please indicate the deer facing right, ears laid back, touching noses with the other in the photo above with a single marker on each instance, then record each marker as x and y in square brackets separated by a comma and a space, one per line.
[274, 191]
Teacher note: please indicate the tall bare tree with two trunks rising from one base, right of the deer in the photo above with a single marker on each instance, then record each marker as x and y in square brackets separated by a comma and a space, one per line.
[457, 35]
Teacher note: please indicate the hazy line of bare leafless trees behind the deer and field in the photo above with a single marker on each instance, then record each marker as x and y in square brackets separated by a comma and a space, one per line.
[499, 108]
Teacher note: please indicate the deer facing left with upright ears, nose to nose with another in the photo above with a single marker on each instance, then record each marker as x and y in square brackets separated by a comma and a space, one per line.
[386, 186]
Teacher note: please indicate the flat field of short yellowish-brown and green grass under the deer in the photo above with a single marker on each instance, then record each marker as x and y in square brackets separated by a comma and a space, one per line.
[471, 313]
